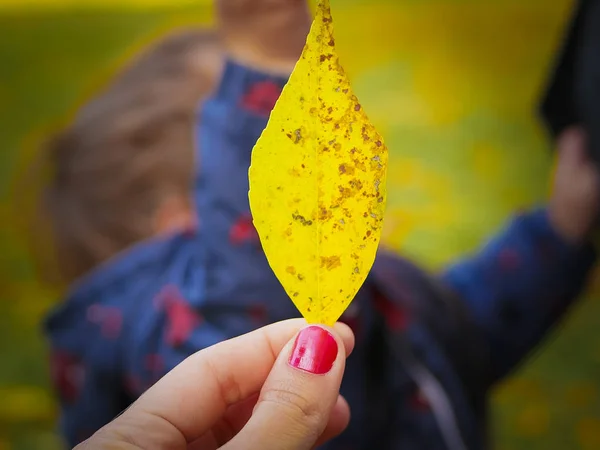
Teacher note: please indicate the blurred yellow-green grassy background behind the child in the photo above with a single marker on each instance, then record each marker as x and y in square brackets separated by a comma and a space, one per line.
[452, 85]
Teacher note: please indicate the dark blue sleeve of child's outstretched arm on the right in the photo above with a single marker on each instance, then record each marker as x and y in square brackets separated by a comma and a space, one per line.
[519, 286]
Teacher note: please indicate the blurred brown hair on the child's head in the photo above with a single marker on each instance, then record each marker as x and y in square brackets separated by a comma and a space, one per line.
[127, 149]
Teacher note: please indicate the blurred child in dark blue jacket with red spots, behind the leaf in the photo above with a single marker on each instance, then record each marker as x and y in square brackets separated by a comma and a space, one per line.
[429, 349]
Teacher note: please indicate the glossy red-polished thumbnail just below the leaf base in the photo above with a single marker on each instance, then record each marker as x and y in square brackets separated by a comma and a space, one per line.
[315, 351]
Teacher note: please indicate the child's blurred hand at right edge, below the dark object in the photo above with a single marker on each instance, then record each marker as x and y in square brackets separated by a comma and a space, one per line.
[575, 201]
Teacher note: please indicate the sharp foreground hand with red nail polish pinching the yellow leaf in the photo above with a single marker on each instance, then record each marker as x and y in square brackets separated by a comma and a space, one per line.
[263, 390]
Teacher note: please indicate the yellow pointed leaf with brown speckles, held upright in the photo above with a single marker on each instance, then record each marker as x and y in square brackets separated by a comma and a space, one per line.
[317, 183]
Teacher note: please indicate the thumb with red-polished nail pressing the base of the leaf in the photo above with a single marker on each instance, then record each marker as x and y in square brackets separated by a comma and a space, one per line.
[297, 400]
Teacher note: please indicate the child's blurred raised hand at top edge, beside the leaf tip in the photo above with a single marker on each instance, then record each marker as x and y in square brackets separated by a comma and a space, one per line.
[268, 35]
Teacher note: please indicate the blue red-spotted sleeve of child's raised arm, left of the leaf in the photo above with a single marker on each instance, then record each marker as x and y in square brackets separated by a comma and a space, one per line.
[229, 125]
